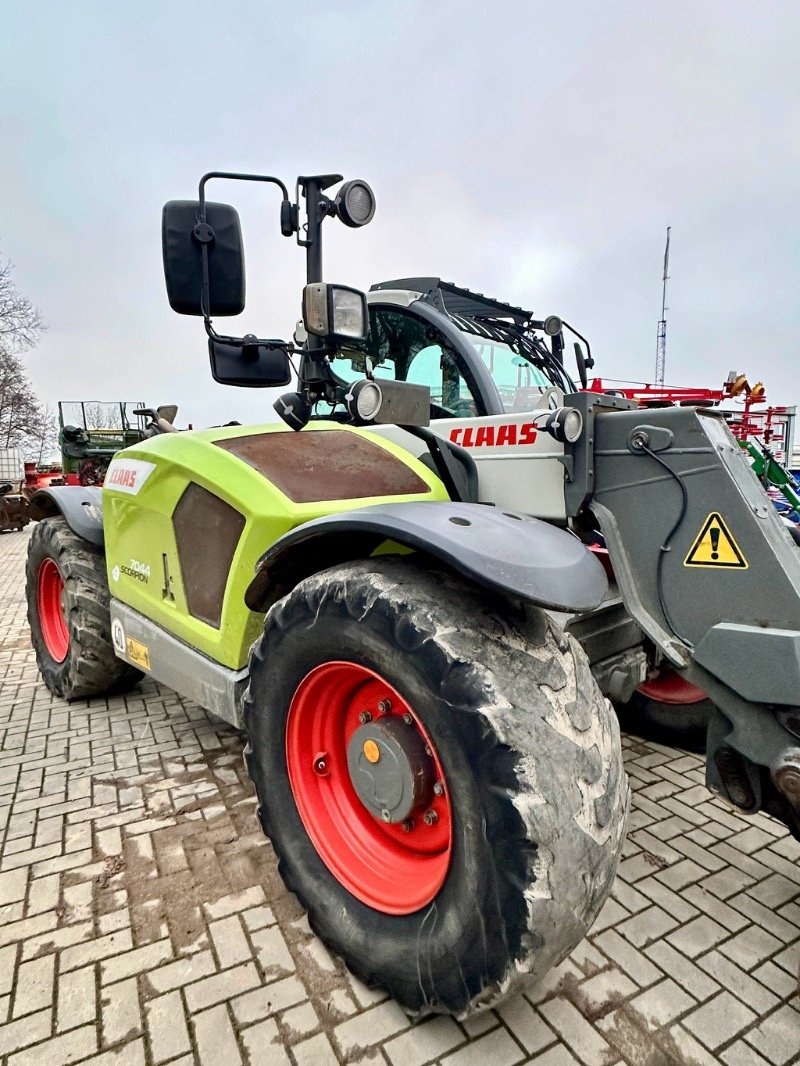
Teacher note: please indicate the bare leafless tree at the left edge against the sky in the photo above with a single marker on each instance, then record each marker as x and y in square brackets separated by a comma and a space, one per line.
[23, 419]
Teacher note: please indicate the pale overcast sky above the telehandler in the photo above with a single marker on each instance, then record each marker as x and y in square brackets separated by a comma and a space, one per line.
[534, 152]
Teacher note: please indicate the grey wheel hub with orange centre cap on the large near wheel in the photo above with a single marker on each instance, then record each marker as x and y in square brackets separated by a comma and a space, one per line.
[390, 769]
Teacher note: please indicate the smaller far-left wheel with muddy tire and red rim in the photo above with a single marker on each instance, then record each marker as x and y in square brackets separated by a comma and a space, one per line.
[69, 613]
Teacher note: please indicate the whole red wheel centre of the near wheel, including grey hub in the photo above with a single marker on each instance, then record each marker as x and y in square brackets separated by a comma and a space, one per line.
[360, 762]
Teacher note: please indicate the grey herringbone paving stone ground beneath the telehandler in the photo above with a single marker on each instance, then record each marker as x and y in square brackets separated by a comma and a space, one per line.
[142, 918]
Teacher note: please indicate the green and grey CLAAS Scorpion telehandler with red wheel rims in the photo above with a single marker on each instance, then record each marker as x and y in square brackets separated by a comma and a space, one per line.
[415, 594]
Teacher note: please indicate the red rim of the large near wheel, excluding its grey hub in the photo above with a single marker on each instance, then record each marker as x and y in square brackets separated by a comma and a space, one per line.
[394, 870]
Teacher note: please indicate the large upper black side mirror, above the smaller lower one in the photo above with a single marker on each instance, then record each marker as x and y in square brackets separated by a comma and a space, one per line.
[184, 238]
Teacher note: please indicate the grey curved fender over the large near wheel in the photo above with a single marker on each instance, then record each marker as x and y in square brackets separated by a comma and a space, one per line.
[507, 553]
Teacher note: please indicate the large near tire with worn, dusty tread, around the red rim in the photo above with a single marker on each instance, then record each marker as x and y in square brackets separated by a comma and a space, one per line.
[530, 752]
